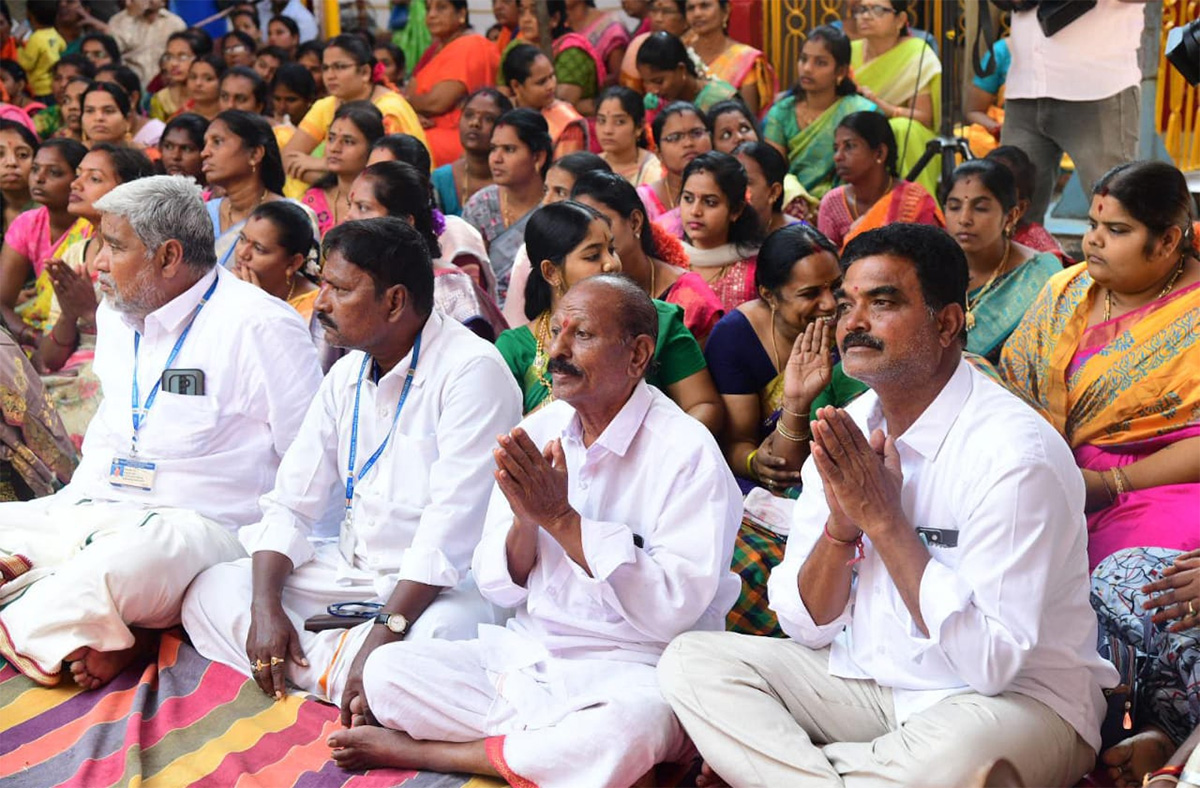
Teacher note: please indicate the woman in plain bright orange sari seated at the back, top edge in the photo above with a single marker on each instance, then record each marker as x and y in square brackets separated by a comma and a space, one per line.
[458, 63]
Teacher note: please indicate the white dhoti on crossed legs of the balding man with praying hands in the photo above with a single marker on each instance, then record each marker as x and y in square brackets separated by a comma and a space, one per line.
[545, 720]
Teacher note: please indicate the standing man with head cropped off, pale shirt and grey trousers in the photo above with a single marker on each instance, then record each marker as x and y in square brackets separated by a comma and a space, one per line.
[1076, 92]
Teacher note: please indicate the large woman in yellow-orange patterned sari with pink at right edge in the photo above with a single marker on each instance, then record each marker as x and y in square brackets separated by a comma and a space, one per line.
[1109, 353]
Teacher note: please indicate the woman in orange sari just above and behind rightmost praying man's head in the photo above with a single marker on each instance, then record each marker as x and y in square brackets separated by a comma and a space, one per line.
[873, 195]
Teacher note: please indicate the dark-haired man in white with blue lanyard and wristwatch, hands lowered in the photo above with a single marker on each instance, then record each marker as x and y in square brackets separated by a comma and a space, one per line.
[395, 452]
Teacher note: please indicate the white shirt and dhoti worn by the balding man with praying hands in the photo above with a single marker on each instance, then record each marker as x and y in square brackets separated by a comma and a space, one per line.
[567, 691]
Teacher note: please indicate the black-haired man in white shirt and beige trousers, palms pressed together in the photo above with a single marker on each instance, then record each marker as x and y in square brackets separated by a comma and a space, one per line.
[935, 585]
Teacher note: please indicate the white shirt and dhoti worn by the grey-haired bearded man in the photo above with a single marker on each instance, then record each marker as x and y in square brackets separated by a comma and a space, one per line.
[106, 557]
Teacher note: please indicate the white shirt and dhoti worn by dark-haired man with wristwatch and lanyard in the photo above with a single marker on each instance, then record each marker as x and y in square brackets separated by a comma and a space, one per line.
[418, 514]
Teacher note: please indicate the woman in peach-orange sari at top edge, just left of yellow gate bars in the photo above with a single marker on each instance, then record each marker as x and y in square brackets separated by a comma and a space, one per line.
[745, 68]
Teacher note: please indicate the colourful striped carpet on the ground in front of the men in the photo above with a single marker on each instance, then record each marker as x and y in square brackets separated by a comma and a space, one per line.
[182, 721]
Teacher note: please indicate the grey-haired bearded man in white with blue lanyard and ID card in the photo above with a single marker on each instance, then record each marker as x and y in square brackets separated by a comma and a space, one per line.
[206, 380]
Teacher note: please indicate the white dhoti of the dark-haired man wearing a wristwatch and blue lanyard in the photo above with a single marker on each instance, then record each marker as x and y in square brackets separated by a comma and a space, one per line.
[217, 616]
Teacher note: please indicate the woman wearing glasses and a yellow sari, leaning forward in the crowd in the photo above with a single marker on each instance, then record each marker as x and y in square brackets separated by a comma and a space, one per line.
[350, 74]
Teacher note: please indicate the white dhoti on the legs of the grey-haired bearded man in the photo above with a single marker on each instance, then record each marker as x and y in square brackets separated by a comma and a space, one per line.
[81, 575]
